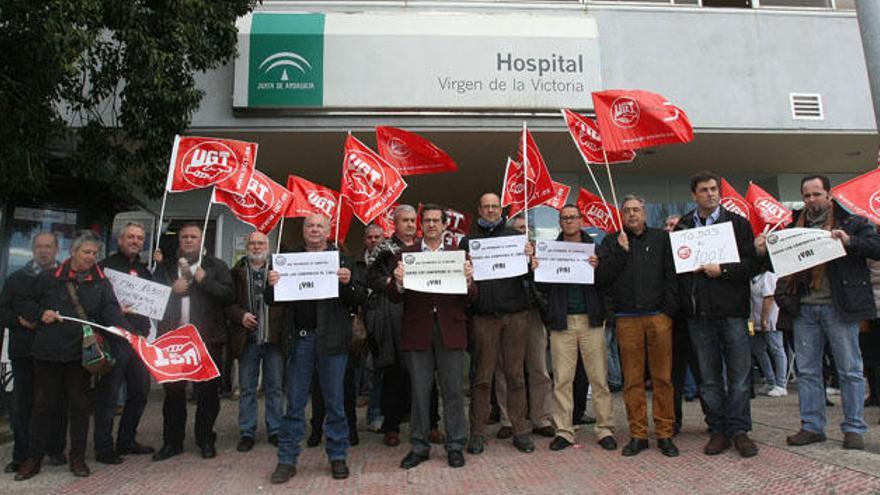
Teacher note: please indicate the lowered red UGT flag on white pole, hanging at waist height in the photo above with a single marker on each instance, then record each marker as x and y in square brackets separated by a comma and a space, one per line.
[177, 355]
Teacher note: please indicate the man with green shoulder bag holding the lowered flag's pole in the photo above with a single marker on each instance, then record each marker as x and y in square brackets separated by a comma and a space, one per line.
[78, 289]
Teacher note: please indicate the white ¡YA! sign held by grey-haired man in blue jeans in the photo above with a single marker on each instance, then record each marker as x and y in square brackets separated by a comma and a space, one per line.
[306, 276]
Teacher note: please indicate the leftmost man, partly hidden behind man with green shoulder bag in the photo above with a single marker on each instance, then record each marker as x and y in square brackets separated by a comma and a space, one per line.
[21, 336]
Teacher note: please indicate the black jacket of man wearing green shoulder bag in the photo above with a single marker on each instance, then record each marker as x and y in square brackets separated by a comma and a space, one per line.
[62, 341]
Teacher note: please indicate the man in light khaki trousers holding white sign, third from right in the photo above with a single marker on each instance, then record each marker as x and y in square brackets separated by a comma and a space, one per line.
[575, 317]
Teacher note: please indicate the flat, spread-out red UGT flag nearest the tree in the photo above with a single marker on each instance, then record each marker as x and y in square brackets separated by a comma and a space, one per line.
[199, 162]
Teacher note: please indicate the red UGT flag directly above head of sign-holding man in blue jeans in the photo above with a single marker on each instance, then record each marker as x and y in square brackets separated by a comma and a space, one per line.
[310, 198]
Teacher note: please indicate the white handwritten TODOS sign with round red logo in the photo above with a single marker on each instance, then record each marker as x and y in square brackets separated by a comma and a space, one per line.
[693, 248]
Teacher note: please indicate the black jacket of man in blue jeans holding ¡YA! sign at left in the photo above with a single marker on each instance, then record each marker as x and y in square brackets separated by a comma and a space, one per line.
[334, 316]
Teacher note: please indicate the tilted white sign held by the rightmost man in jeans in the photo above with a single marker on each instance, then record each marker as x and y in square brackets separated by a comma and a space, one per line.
[798, 249]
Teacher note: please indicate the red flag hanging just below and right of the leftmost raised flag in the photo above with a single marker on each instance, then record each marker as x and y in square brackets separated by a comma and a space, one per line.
[263, 206]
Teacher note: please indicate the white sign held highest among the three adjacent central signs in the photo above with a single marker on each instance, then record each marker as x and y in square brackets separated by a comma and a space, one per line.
[498, 257]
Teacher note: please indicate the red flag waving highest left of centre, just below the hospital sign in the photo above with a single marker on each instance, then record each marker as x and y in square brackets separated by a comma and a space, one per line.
[410, 153]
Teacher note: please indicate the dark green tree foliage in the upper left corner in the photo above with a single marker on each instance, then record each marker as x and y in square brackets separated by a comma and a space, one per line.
[97, 89]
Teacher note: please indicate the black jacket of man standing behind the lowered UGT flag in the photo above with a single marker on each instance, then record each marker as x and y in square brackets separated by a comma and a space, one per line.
[208, 299]
